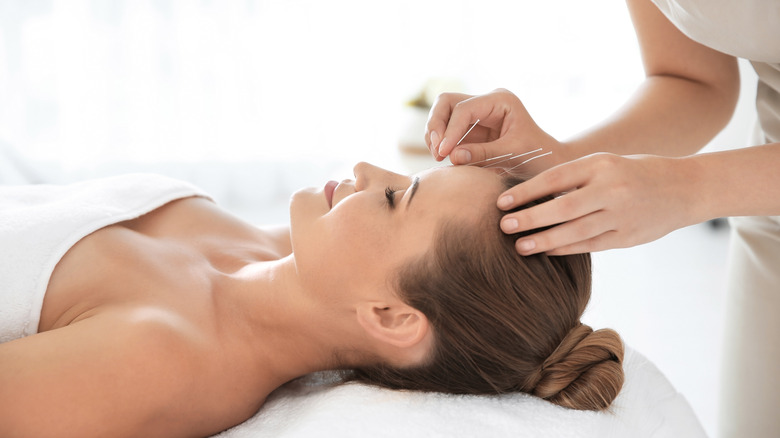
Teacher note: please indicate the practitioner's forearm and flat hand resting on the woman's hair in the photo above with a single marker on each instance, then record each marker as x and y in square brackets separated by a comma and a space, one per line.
[620, 201]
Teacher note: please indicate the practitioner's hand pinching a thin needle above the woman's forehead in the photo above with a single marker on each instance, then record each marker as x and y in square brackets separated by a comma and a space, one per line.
[504, 126]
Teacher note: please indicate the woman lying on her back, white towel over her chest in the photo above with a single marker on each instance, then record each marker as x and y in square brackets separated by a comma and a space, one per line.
[134, 306]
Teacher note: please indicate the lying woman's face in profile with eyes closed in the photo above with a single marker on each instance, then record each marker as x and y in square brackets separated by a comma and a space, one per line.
[356, 234]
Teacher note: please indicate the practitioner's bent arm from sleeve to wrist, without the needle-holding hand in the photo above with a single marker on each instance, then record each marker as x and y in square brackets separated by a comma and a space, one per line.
[689, 94]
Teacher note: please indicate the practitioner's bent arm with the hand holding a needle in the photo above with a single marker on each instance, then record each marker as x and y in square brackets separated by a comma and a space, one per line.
[688, 95]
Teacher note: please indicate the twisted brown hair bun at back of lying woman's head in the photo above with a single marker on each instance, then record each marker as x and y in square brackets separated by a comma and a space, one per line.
[584, 372]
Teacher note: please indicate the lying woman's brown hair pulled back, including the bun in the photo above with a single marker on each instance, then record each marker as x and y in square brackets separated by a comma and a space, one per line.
[504, 322]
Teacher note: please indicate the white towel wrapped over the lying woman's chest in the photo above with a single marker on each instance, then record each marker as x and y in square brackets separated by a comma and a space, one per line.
[40, 223]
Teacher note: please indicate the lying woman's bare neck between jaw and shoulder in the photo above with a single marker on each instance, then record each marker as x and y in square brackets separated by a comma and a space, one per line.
[287, 330]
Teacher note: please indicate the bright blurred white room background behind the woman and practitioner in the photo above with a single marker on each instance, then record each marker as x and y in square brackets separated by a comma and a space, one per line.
[254, 99]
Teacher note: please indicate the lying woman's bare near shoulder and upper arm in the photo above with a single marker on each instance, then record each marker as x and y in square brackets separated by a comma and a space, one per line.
[137, 373]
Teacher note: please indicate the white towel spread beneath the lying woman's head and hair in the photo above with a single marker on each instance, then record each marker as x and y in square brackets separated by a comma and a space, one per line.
[647, 407]
